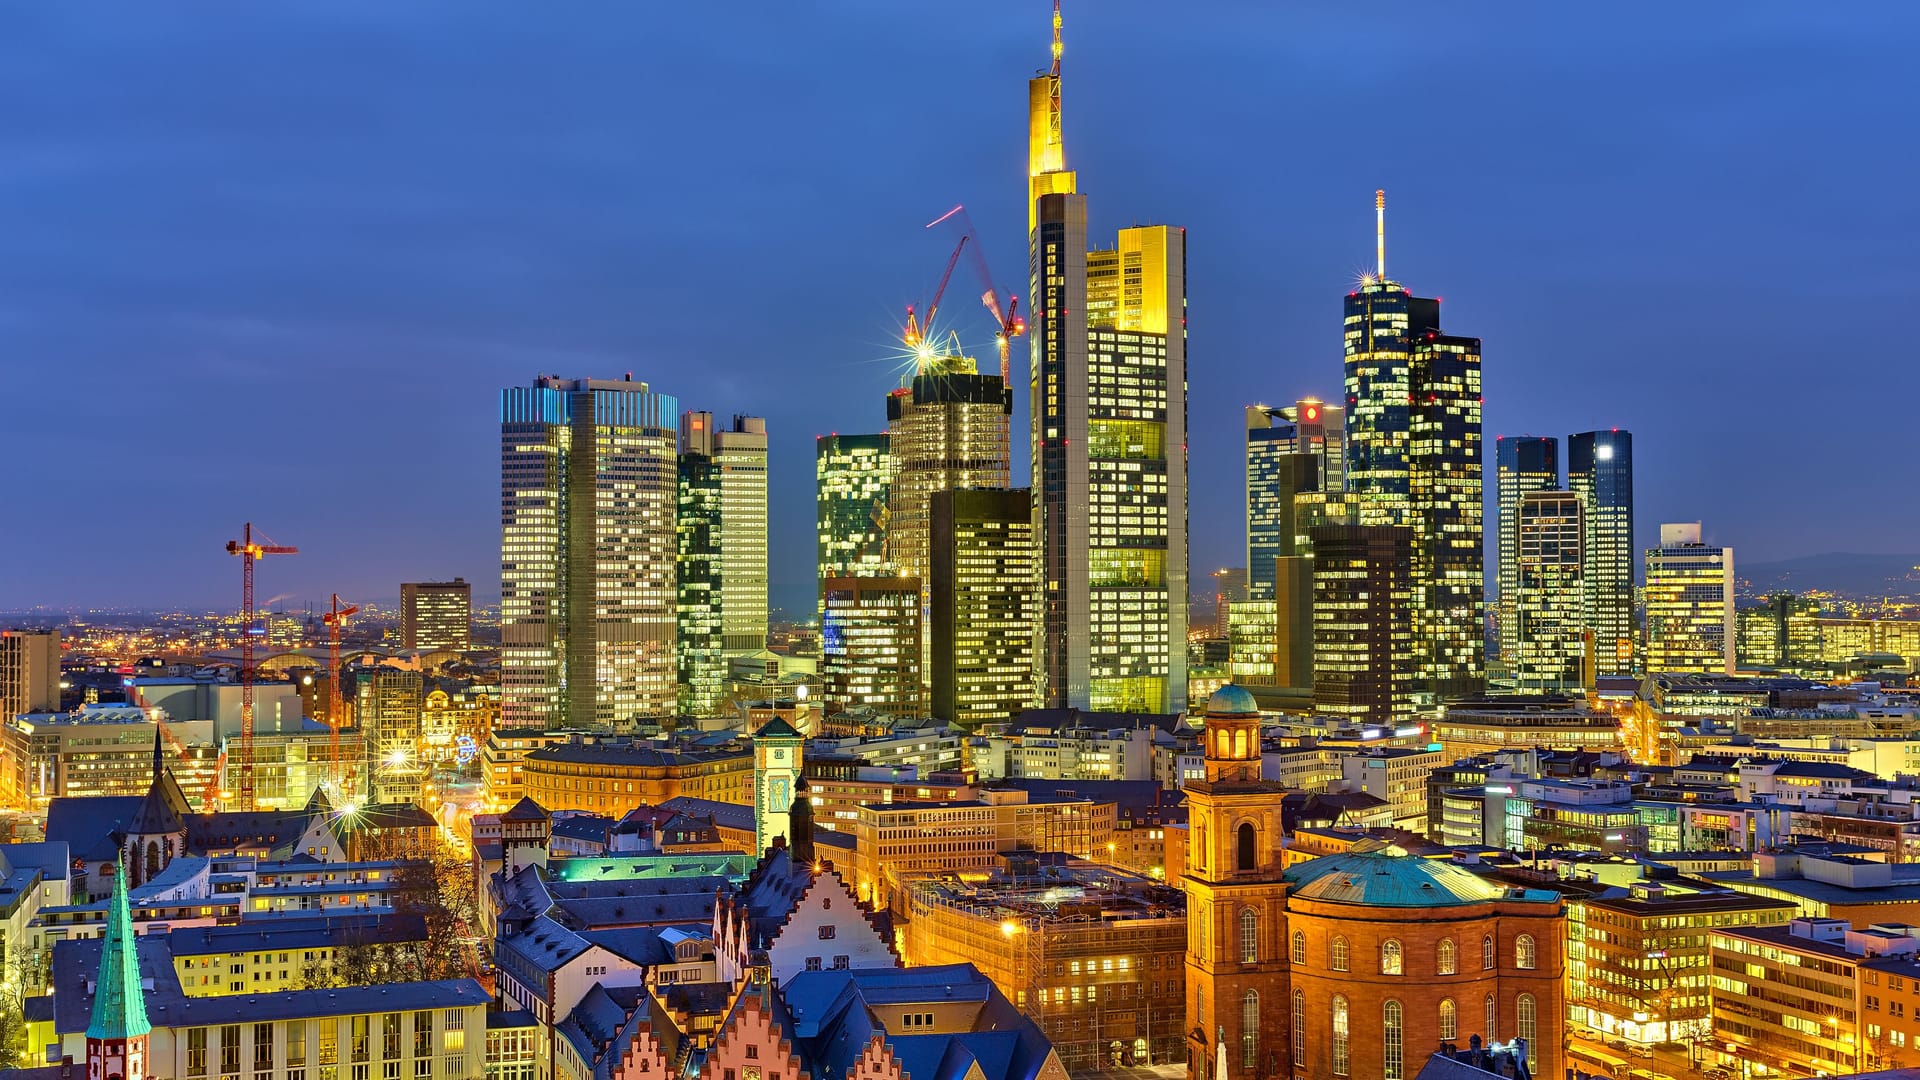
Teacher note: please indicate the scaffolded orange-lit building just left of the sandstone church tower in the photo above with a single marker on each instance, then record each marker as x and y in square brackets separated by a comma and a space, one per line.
[1092, 954]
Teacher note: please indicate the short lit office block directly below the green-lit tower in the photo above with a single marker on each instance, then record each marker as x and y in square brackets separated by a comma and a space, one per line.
[871, 645]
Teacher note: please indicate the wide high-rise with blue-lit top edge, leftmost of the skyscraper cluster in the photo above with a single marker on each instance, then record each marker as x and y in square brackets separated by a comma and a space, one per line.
[588, 552]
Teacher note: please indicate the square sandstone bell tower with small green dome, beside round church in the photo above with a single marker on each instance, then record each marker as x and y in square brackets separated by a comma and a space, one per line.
[1237, 975]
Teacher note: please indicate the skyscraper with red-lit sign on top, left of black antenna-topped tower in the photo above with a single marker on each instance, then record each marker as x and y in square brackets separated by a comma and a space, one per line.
[1289, 451]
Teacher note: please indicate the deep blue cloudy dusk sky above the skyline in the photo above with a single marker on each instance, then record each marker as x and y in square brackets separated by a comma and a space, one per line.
[276, 260]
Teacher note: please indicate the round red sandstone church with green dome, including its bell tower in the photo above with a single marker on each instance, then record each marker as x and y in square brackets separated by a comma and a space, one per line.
[1353, 966]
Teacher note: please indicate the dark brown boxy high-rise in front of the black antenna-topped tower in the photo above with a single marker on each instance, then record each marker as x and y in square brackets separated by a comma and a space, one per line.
[1362, 631]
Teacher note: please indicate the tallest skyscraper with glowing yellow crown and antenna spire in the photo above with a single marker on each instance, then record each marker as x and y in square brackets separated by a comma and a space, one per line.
[1109, 381]
